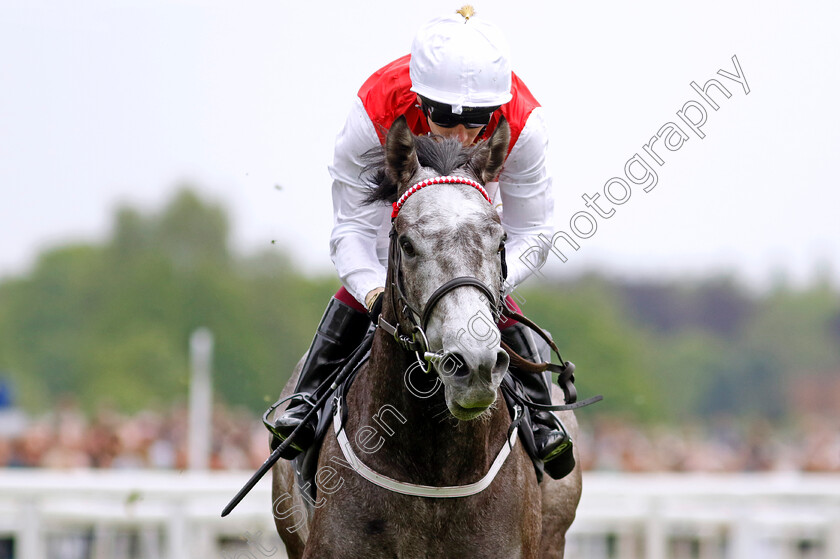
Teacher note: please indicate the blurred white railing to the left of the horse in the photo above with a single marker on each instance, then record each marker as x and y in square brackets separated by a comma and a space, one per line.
[134, 515]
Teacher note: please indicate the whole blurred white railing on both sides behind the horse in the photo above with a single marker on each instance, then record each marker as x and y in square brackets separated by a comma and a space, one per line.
[171, 515]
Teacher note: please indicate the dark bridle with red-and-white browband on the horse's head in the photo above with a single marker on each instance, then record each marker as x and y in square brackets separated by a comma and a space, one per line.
[410, 329]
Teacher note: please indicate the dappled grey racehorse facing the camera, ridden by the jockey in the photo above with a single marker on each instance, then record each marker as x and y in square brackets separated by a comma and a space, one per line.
[443, 428]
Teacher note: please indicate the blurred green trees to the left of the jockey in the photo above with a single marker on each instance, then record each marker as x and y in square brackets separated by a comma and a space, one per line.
[112, 322]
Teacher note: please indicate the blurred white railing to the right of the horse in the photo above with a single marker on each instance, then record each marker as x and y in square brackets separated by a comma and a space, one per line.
[673, 516]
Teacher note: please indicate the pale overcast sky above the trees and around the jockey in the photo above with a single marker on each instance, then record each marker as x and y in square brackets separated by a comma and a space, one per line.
[117, 102]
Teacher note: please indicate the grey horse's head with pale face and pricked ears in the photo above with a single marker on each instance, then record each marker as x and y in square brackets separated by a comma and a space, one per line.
[441, 233]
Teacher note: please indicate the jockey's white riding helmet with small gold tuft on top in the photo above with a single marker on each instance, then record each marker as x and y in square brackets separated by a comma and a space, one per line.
[461, 60]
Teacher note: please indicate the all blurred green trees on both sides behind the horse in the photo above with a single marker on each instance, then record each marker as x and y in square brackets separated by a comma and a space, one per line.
[110, 322]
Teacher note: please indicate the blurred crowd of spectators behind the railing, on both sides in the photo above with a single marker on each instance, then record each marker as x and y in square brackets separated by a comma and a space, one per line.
[69, 438]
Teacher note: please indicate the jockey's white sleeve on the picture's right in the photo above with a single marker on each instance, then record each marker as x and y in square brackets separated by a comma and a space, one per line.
[527, 201]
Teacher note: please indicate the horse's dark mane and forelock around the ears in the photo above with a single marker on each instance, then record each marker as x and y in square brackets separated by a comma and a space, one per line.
[444, 155]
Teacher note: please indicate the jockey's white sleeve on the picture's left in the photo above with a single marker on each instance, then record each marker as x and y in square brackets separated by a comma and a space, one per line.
[353, 243]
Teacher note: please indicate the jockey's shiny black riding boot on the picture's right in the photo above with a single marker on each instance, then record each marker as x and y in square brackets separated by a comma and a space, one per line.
[554, 446]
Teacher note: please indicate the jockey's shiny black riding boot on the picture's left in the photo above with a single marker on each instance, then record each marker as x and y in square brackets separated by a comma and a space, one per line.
[339, 333]
